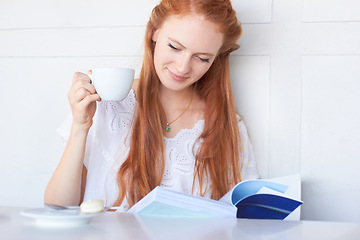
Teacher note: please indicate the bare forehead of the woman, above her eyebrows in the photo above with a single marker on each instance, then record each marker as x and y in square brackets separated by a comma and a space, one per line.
[193, 32]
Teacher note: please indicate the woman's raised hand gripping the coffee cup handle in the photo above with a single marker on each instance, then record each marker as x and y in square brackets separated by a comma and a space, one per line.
[82, 98]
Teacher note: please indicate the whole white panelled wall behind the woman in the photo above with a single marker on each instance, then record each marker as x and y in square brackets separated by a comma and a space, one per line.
[296, 82]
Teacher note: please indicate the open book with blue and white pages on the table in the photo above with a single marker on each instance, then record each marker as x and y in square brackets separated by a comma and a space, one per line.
[257, 199]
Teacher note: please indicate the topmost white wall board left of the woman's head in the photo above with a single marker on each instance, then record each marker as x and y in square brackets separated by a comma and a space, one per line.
[69, 13]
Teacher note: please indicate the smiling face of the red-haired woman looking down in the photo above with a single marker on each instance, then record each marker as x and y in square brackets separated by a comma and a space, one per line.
[185, 49]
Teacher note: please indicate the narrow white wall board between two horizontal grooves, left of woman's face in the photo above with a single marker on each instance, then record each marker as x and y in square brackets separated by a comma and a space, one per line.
[125, 41]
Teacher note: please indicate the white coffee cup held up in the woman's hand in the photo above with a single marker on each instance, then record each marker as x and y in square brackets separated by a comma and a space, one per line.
[112, 84]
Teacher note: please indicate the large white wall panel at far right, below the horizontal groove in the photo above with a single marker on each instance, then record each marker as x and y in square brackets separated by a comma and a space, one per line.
[330, 136]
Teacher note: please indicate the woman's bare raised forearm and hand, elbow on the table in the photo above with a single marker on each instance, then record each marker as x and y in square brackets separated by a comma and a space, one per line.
[68, 181]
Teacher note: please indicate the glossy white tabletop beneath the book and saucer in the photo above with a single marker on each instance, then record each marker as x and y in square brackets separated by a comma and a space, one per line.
[124, 226]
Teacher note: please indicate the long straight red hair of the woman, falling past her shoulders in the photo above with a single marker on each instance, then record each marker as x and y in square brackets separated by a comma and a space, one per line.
[218, 161]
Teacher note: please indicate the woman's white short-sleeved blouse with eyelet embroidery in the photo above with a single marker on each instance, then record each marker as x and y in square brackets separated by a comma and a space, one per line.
[108, 145]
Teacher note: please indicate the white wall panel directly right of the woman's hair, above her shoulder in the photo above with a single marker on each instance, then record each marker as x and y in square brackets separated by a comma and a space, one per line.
[250, 80]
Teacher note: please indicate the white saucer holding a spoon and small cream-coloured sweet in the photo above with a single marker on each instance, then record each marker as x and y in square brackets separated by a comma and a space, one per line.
[51, 217]
